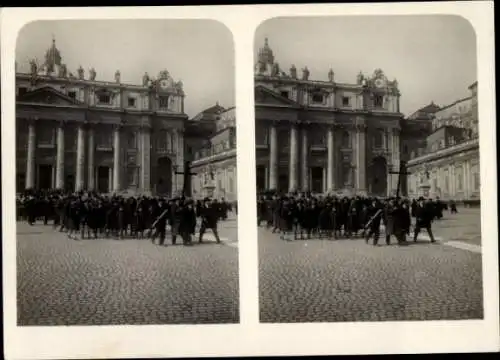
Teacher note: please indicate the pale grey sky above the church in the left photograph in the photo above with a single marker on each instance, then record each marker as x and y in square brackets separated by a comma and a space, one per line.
[198, 52]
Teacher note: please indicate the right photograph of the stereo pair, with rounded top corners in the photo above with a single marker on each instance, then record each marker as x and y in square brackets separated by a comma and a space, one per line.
[367, 155]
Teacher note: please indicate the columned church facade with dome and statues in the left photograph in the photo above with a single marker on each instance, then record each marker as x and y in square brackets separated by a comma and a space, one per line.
[76, 132]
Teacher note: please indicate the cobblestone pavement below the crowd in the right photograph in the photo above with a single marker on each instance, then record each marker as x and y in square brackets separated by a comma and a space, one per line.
[348, 280]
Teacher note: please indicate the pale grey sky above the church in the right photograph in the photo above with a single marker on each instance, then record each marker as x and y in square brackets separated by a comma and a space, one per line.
[432, 57]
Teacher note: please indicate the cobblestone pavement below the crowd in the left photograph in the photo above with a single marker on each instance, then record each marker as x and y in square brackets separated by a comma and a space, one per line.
[113, 282]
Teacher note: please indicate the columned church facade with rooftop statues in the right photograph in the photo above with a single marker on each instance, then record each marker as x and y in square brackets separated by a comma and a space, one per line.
[324, 136]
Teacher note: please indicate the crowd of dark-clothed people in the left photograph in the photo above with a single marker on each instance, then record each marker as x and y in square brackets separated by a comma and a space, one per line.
[92, 215]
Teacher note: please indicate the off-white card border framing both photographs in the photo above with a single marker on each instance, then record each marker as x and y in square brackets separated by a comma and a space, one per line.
[249, 337]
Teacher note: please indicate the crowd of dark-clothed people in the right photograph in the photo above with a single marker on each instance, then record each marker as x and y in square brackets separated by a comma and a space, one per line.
[299, 216]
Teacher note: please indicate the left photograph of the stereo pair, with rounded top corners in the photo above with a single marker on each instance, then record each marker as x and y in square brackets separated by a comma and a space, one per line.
[126, 173]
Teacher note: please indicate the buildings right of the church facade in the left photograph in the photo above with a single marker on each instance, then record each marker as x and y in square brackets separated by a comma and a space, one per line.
[214, 160]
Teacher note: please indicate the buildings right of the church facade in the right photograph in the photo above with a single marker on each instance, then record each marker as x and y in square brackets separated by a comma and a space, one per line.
[448, 165]
